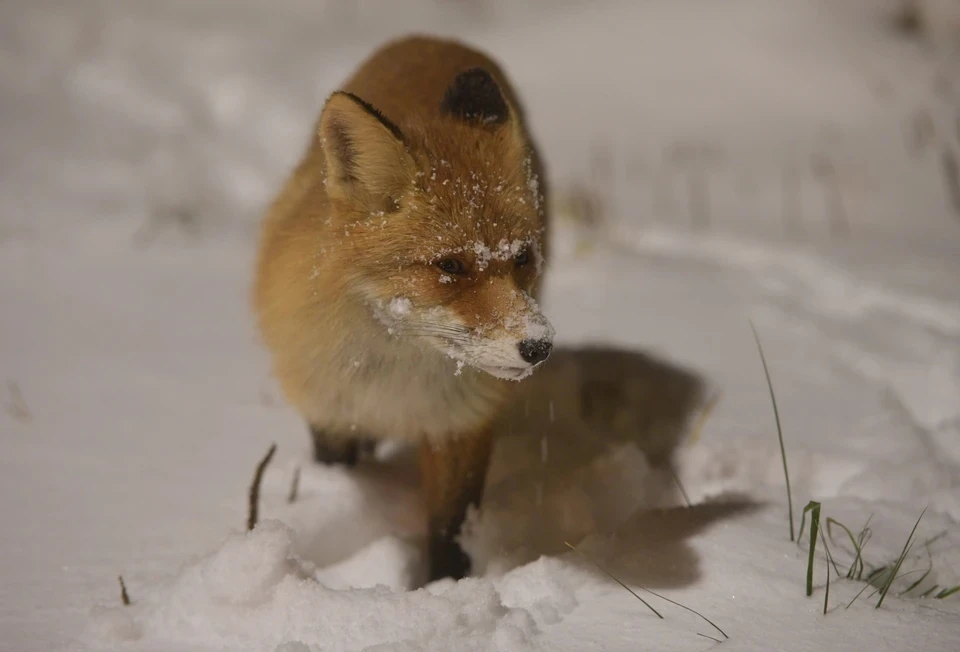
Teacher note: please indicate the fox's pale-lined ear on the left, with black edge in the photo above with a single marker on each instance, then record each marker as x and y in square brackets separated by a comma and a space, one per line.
[365, 153]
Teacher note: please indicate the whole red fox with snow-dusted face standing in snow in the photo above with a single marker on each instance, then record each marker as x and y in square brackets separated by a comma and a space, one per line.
[399, 266]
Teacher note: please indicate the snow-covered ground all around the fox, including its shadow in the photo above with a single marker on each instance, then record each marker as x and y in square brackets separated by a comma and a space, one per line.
[714, 162]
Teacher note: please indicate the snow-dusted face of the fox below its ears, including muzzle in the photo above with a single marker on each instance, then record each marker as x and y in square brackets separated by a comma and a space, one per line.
[458, 266]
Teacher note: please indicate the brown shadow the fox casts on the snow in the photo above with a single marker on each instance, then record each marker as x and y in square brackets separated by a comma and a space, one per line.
[584, 454]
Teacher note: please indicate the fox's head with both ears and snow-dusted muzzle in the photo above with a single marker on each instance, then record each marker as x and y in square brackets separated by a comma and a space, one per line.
[438, 224]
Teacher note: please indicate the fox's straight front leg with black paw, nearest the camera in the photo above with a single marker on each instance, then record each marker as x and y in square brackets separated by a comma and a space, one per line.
[453, 474]
